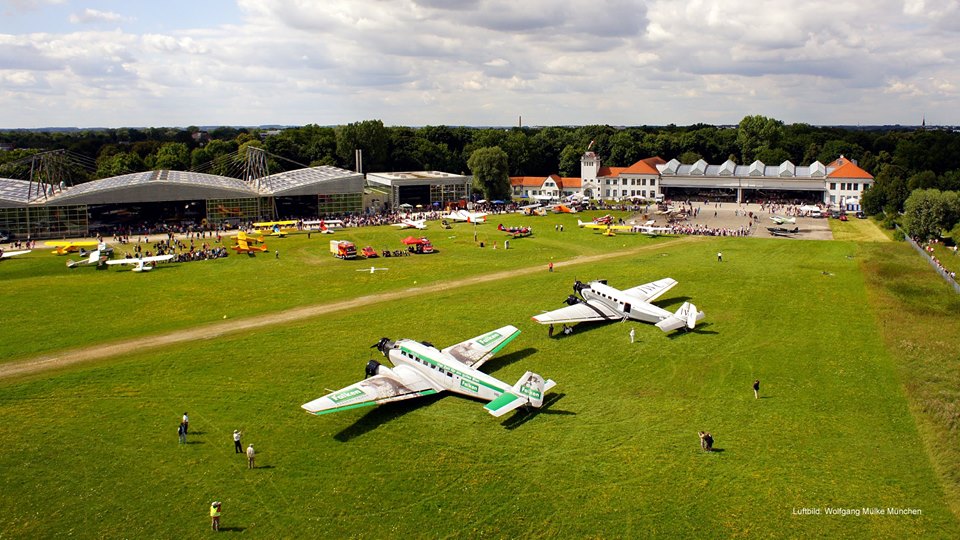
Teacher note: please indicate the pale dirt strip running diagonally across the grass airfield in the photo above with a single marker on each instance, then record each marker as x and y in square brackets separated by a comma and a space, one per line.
[107, 350]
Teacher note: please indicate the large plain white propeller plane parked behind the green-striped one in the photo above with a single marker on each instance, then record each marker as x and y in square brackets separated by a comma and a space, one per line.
[601, 302]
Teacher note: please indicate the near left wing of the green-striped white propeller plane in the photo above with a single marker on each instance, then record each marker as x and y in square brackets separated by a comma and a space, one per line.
[372, 391]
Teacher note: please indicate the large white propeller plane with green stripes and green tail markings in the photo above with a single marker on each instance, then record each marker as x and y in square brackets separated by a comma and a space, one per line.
[421, 370]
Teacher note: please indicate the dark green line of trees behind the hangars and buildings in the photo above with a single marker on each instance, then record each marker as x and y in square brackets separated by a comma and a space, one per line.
[902, 160]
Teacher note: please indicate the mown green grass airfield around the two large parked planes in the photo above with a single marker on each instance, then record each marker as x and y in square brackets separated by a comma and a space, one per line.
[858, 410]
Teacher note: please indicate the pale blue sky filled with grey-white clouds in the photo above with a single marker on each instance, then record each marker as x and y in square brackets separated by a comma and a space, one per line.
[477, 62]
